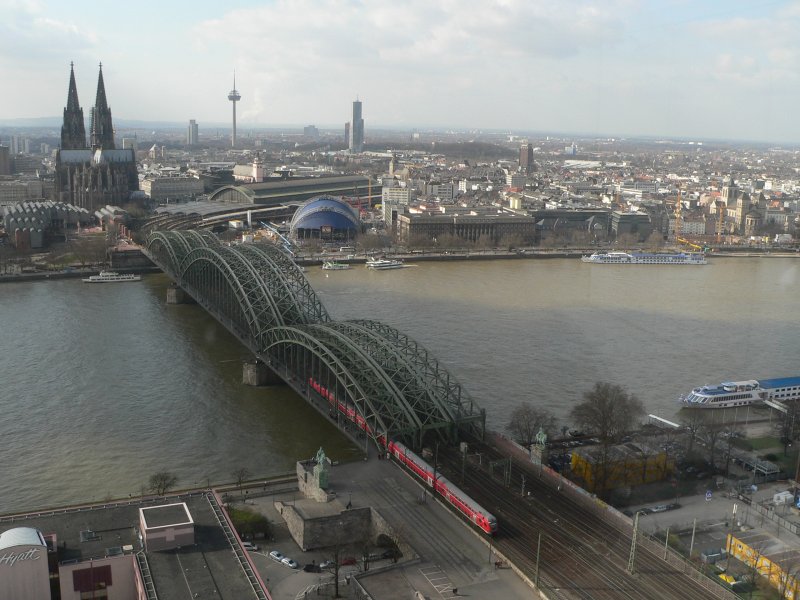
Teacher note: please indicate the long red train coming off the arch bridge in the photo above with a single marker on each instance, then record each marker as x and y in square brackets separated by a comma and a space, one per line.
[465, 505]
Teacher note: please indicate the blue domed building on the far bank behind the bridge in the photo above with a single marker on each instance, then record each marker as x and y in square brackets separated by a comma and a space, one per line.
[326, 218]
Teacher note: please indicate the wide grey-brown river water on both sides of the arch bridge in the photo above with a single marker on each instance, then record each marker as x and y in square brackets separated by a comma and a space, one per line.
[103, 385]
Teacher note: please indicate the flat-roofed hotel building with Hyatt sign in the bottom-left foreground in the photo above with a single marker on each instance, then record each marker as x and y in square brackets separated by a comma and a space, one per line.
[180, 547]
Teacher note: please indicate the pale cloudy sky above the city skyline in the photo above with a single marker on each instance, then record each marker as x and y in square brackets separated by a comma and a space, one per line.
[701, 69]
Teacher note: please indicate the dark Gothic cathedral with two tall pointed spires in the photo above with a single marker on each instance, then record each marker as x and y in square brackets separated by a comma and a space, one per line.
[94, 174]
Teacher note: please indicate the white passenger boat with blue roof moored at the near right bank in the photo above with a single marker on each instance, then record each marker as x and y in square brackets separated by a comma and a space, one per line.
[730, 394]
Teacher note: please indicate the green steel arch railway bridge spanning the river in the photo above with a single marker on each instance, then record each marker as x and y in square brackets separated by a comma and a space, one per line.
[375, 381]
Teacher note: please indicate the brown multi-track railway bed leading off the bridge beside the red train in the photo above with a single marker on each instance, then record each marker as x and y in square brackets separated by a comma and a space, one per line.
[581, 556]
